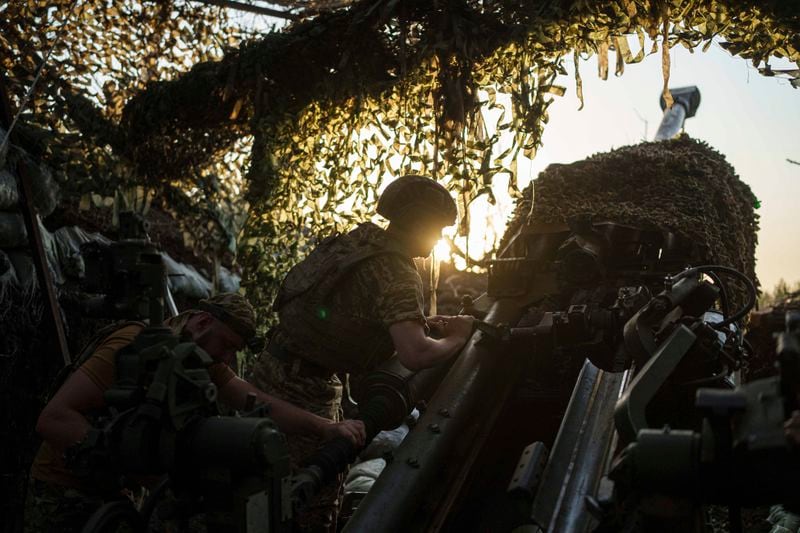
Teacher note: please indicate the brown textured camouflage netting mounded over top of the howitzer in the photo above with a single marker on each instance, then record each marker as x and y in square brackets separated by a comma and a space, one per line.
[682, 185]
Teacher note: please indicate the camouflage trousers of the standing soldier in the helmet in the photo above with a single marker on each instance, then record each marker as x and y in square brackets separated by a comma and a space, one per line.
[318, 395]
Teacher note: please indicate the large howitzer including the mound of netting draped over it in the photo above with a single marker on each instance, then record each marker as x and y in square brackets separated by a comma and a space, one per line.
[590, 280]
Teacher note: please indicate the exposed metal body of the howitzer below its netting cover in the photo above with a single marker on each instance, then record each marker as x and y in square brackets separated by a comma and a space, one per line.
[439, 478]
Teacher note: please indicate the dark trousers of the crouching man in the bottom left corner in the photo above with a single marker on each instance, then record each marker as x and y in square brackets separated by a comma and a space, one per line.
[54, 508]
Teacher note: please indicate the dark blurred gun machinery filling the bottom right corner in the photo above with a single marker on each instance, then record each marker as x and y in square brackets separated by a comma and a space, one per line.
[738, 457]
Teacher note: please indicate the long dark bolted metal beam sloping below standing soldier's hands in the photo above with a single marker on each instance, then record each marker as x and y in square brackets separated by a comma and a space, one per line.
[455, 414]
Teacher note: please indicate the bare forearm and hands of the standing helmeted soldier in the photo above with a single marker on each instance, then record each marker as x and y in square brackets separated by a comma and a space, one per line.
[416, 351]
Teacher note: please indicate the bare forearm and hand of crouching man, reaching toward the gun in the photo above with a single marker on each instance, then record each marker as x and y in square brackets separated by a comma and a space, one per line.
[290, 418]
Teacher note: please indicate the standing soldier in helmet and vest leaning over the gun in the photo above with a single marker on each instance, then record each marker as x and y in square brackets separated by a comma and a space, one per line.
[350, 305]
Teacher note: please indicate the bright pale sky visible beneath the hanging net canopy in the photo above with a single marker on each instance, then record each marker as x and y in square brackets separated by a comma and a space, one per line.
[754, 121]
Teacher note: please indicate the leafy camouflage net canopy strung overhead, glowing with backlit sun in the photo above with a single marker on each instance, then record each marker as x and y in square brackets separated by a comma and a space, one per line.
[327, 110]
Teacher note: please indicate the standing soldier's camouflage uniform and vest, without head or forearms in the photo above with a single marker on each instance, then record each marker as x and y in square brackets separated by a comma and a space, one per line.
[335, 310]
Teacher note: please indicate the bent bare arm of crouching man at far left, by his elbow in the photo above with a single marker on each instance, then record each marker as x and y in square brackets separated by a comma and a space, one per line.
[62, 422]
